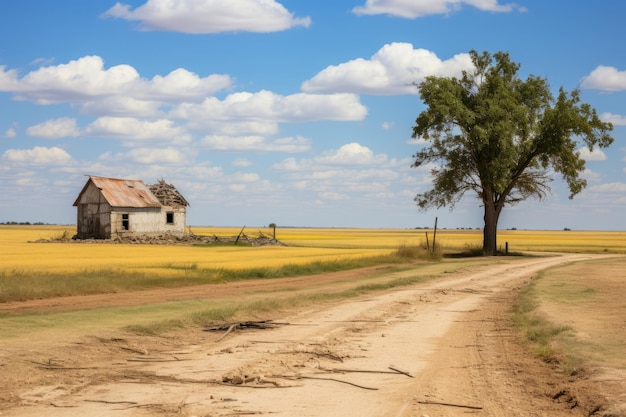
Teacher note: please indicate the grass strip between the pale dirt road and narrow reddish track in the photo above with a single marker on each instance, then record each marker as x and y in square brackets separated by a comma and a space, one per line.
[161, 318]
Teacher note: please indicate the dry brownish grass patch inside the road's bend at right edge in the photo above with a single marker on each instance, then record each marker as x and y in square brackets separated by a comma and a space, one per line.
[568, 315]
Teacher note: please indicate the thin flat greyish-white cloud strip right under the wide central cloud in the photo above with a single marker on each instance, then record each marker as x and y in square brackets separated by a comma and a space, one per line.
[255, 143]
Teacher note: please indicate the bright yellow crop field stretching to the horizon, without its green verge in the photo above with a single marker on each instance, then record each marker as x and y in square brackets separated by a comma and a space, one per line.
[304, 245]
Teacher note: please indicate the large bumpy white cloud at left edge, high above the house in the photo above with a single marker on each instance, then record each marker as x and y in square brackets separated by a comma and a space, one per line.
[86, 80]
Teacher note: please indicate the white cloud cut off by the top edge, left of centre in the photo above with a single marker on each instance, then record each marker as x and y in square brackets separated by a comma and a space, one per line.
[210, 16]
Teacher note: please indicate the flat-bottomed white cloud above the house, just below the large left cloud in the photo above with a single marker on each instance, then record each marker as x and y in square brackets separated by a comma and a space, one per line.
[128, 128]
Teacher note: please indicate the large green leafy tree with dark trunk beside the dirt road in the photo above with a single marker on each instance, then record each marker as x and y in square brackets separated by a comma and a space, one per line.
[499, 136]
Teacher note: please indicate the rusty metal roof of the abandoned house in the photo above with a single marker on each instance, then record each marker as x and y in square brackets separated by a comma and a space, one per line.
[123, 193]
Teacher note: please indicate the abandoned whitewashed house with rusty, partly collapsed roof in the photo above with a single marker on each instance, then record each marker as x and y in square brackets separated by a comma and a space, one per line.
[111, 207]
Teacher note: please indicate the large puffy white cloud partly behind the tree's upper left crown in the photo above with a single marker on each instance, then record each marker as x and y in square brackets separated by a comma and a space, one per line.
[393, 69]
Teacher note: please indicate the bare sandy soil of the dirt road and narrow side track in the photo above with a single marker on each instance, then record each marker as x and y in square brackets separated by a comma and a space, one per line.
[446, 348]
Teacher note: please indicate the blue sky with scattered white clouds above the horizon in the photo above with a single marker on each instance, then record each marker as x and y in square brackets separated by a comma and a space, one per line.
[291, 112]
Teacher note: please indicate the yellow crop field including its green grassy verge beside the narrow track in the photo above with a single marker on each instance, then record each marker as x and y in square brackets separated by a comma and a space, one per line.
[30, 269]
